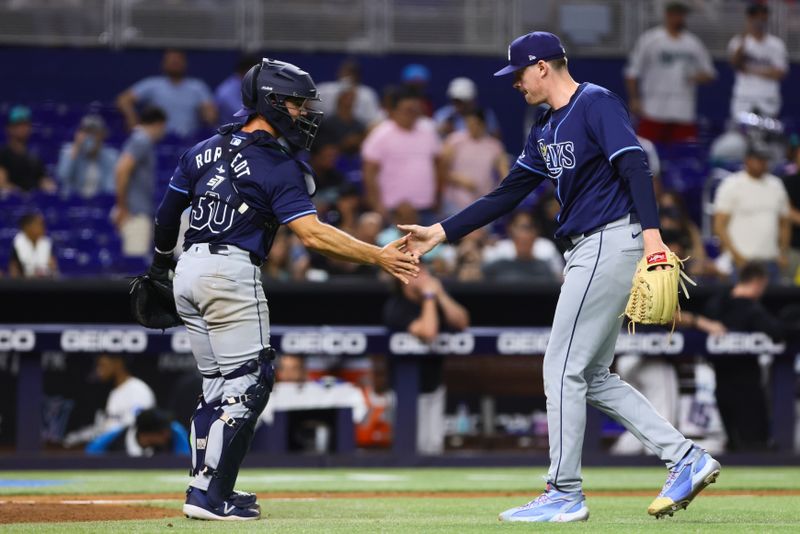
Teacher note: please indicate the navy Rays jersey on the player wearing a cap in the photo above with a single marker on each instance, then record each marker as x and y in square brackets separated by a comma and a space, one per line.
[574, 147]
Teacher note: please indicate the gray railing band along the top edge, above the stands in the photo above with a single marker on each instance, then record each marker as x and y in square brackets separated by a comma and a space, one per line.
[588, 27]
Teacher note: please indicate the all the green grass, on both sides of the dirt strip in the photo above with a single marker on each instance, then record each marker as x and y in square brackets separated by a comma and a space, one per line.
[729, 514]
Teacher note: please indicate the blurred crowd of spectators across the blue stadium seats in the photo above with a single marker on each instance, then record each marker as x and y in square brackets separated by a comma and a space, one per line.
[395, 158]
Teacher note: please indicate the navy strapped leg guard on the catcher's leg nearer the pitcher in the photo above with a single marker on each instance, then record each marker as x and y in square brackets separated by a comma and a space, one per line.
[245, 396]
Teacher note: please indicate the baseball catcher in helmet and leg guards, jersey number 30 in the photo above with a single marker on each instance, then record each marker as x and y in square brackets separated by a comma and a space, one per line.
[242, 184]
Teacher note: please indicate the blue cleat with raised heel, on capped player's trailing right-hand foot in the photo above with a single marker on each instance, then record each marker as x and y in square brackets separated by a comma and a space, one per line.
[688, 478]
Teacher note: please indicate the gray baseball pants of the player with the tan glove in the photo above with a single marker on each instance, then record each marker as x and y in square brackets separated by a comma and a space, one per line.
[587, 321]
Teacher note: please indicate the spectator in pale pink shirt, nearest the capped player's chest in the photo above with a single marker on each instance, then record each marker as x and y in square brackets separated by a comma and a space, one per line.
[474, 160]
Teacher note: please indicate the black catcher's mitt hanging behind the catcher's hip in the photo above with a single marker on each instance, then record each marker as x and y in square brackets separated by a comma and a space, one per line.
[152, 303]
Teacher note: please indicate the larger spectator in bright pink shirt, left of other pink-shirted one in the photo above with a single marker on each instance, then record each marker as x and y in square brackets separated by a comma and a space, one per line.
[401, 160]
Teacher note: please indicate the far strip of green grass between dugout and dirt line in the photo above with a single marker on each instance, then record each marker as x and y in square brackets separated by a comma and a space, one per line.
[425, 479]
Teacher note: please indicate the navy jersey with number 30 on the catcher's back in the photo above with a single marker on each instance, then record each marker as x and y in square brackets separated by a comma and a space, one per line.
[267, 177]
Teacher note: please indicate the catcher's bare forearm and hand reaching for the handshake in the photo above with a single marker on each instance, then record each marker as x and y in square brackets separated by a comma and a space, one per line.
[394, 258]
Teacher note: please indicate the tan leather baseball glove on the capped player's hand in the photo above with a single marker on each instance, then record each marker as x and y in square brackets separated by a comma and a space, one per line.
[654, 295]
